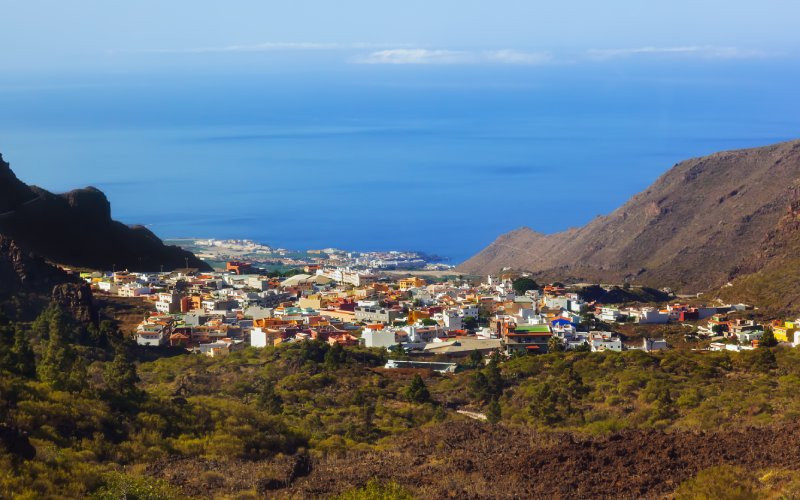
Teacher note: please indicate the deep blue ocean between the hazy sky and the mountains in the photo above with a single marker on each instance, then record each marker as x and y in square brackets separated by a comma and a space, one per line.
[439, 159]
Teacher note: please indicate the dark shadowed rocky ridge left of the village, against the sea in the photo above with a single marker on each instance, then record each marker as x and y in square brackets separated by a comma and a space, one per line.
[76, 229]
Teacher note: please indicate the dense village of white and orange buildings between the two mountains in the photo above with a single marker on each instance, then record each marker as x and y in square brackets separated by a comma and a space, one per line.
[424, 324]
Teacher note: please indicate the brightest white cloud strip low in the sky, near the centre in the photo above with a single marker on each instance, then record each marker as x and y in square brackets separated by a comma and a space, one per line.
[441, 56]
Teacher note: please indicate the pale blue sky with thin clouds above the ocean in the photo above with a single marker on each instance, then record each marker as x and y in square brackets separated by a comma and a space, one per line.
[105, 35]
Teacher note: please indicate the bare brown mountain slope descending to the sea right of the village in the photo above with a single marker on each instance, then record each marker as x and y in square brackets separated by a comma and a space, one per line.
[690, 230]
